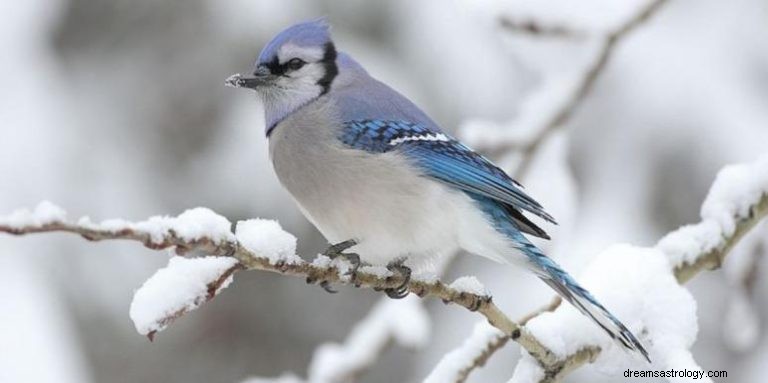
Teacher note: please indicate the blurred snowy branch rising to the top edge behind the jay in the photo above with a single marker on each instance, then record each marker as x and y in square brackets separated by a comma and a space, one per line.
[558, 97]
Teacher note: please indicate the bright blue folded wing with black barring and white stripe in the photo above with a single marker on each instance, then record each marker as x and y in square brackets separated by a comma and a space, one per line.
[443, 158]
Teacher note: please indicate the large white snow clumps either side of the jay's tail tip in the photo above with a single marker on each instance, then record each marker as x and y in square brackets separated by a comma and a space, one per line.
[638, 287]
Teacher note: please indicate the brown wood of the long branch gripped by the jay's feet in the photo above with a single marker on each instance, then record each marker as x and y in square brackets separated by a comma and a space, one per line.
[315, 272]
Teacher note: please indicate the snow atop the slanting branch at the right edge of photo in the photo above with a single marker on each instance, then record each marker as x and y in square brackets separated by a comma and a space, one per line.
[736, 188]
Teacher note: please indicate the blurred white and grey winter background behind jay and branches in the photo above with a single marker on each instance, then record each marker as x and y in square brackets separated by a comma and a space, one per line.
[117, 109]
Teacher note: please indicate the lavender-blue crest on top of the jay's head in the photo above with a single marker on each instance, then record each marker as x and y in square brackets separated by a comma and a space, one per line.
[313, 33]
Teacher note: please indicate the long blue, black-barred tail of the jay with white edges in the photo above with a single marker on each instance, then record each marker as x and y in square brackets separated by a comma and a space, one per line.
[549, 272]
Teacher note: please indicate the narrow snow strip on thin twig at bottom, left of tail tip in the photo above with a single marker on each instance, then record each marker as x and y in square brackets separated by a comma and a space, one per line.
[453, 362]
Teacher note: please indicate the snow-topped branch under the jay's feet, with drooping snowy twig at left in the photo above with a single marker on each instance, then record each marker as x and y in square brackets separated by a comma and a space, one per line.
[255, 245]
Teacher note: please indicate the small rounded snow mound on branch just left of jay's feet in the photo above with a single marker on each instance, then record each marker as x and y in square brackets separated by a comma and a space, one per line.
[266, 238]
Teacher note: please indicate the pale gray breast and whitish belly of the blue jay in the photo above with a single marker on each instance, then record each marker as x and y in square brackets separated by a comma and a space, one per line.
[378, 199]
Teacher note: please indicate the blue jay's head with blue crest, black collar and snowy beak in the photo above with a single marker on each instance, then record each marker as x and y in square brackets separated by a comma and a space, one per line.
[293, 69]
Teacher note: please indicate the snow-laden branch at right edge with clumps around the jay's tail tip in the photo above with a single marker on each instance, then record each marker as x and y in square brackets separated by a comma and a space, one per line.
[642, 285]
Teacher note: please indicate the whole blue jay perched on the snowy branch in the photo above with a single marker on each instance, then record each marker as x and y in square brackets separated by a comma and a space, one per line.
[369, 169]
